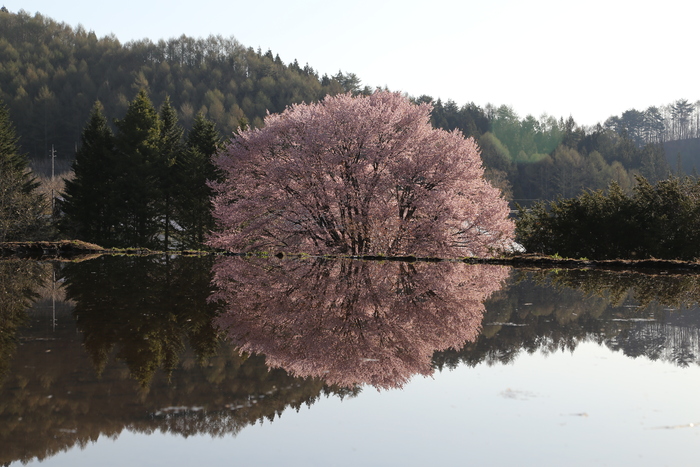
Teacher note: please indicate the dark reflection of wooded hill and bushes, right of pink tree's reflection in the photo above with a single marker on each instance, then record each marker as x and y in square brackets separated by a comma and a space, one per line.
[641, 315]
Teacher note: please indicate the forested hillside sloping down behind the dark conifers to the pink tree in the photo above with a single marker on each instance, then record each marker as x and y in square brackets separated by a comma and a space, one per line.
[52, 74]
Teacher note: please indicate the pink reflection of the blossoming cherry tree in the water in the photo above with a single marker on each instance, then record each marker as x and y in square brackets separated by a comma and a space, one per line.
[352, 322]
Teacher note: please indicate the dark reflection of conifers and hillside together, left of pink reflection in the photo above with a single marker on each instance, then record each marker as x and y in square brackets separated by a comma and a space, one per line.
[76, 374]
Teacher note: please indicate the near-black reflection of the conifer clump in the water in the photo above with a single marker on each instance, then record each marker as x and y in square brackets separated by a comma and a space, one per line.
[145, 308]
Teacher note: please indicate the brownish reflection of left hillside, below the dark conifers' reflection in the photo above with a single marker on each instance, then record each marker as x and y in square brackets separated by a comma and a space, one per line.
[53, 400]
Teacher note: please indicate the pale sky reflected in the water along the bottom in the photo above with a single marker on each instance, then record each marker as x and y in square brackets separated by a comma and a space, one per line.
[592, 407]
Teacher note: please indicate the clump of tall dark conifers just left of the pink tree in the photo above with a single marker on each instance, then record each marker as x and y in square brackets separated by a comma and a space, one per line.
[145, 185]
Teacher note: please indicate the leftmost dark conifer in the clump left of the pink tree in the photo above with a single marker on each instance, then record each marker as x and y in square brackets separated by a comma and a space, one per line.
[90, 198]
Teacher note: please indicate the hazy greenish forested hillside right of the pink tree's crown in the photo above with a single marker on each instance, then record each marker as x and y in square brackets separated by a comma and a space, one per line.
[542, 159]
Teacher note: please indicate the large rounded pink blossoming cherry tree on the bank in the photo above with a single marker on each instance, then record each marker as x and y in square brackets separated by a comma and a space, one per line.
[364, 175]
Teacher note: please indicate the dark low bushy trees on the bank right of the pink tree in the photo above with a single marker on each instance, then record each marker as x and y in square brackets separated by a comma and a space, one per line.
[659, 220]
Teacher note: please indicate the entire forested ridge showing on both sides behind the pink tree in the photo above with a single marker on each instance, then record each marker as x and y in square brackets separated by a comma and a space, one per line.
[51, 75]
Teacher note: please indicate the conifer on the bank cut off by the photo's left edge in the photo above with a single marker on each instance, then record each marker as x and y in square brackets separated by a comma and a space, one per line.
[22, 209]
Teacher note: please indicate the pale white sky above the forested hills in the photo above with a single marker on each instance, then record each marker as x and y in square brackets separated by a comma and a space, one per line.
[589, 59]
